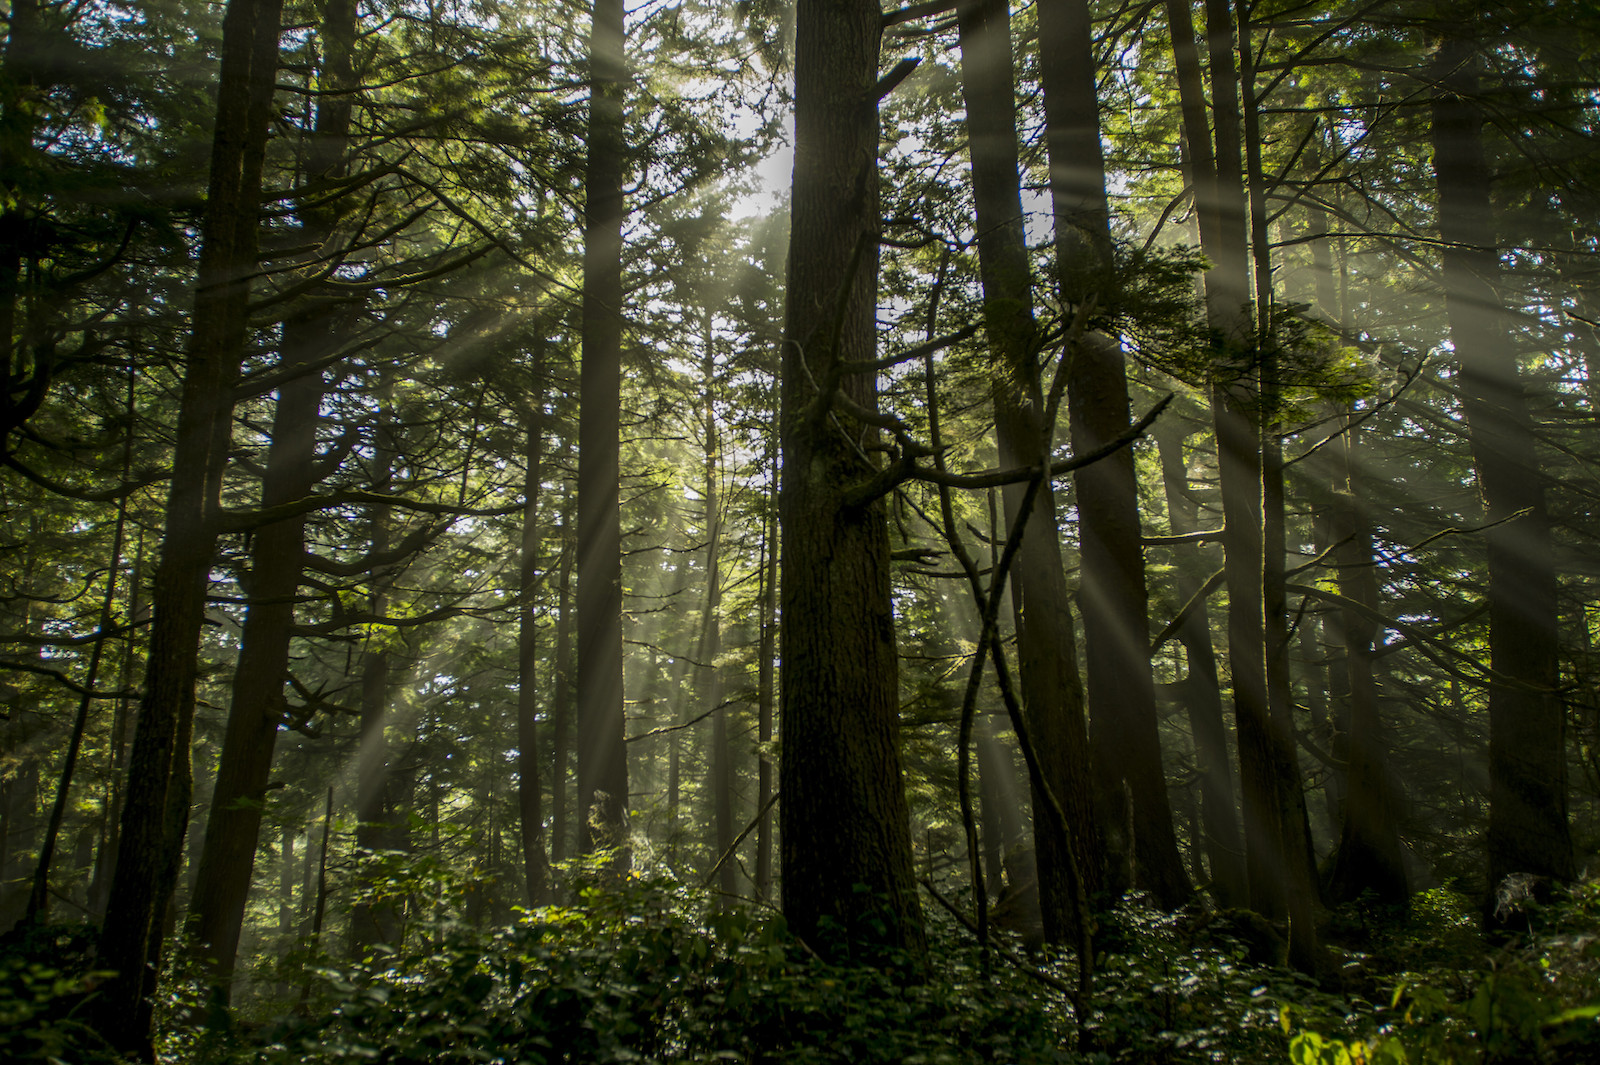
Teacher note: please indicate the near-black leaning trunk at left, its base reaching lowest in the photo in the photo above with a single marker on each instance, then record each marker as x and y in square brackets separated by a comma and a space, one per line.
[158, 800]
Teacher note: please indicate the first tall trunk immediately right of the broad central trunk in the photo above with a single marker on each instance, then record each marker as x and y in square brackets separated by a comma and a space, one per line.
[1047, 645]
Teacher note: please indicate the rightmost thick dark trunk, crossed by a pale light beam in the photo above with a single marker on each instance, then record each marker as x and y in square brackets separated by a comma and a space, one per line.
[1529, 829]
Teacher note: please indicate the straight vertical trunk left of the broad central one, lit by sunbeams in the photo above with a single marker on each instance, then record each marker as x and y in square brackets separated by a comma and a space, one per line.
[602, 757]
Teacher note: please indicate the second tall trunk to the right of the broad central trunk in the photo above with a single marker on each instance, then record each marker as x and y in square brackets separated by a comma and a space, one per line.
[1126, 748]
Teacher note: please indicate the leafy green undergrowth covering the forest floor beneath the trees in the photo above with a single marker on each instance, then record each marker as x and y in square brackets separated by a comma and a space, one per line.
[655, 973]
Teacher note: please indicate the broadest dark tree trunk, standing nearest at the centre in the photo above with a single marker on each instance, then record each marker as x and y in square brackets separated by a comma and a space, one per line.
[847, 864]
